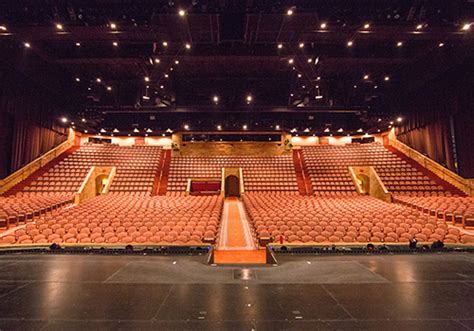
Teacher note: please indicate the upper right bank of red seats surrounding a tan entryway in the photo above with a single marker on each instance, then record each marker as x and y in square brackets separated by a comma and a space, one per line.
[328, 169]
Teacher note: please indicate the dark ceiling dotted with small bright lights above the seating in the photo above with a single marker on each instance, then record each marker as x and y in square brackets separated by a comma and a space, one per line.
[298, 69]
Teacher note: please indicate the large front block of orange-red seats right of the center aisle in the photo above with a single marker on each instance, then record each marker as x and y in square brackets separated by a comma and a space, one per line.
[305, 219]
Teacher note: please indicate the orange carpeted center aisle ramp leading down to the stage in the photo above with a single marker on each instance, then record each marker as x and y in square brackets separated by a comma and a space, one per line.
[236, 244]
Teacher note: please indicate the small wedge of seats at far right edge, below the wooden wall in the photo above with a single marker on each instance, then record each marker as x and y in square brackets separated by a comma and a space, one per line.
[458, 210]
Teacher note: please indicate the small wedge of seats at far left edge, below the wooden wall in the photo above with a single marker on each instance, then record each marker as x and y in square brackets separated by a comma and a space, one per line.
[21, 207]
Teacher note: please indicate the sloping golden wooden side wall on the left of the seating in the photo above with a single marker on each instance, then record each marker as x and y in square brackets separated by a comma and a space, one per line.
[23, 173]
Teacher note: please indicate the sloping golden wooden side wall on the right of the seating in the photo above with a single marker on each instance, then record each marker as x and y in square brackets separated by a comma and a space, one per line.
[464, 184]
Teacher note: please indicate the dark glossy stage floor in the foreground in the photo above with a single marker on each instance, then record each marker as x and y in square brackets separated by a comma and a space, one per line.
[77, 292]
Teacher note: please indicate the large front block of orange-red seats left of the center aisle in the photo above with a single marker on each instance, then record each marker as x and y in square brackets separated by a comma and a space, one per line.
[122, 218]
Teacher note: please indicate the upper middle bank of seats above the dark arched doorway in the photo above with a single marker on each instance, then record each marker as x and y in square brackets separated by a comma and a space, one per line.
[260, 173]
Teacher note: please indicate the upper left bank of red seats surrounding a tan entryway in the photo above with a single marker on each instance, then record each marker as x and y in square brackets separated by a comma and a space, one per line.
[136, 168]
